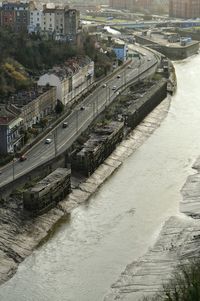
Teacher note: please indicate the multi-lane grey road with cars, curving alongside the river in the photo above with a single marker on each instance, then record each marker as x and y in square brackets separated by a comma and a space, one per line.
[79, 119]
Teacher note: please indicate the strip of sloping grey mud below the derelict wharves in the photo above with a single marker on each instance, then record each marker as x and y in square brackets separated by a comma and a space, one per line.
[19, 234]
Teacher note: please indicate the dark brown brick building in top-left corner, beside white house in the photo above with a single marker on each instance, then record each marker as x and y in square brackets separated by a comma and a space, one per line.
[15, 15]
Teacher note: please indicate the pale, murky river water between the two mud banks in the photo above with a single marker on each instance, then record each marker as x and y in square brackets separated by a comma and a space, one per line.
[89, 250]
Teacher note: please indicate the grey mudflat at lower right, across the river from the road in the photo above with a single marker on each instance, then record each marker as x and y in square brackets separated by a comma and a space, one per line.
[179, 240]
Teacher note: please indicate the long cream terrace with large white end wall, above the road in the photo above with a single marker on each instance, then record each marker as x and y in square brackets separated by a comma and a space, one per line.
[70, 79]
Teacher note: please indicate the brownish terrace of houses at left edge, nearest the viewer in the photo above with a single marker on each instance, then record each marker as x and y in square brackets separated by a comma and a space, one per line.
[23, 110]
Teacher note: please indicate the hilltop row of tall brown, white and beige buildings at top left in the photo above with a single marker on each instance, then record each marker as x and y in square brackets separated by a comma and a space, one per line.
[60, 22]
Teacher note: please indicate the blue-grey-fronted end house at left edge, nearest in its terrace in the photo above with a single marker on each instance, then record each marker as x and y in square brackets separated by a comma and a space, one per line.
[10, 126]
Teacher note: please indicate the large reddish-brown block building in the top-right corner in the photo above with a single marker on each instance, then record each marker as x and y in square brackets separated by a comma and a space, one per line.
[184, 8]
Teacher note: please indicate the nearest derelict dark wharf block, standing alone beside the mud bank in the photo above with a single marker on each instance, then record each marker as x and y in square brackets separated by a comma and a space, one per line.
[48, 192]
